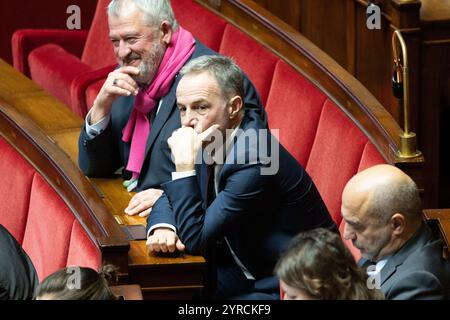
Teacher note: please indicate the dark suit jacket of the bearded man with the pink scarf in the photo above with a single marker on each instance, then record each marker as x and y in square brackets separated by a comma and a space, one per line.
[106, 153]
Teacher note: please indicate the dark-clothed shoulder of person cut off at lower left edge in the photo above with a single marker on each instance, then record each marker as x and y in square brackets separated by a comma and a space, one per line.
[18, 278]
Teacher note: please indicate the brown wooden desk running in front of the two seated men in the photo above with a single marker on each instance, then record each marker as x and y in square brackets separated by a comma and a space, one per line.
[161, 276]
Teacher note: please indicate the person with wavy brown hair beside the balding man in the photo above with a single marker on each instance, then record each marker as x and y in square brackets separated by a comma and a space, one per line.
[318, 266]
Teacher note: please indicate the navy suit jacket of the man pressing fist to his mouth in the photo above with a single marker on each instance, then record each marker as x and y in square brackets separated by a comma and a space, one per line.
[259, 214]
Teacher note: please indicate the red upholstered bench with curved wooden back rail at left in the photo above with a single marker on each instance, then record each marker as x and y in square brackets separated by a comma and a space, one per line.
[48, 205]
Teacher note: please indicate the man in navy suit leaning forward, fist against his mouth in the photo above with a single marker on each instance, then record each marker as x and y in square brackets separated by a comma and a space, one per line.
[241, 198]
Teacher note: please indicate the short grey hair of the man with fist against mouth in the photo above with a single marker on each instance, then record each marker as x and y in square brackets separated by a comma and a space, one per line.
[226, 72]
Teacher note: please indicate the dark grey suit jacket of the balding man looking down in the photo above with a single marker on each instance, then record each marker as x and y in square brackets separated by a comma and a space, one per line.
[417, 270]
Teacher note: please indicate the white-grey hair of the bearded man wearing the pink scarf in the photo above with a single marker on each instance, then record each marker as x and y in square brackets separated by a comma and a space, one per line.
[155, 11]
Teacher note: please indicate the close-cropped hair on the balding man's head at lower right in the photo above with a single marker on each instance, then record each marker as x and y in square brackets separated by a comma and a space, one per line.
[390, 198]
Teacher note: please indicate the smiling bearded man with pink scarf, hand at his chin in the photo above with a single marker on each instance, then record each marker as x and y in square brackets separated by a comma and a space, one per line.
[135, 111]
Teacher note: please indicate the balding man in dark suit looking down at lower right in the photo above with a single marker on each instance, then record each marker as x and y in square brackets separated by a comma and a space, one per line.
[382, 210]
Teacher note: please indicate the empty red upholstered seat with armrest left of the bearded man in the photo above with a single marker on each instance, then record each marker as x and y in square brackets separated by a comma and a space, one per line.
[62, 68]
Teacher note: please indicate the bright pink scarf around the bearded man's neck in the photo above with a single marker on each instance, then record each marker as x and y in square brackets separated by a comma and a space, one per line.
[137, 129]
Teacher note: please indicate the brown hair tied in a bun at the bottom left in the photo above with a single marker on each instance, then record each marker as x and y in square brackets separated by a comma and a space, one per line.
[79, 283]
